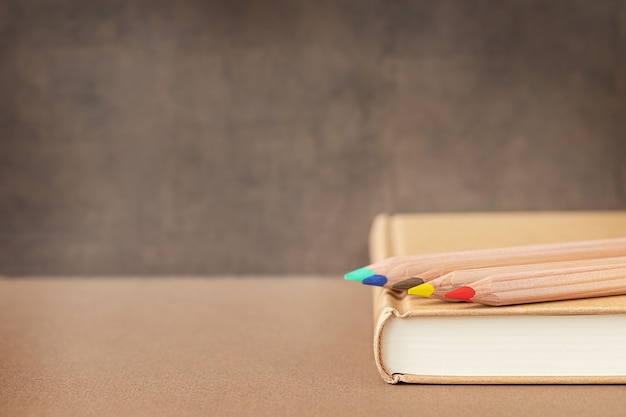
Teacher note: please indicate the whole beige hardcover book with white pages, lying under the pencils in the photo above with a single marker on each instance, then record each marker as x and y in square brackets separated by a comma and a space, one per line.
[421, 340]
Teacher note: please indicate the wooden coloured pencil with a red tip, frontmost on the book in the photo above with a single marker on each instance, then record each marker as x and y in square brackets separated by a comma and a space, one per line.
[564, 284]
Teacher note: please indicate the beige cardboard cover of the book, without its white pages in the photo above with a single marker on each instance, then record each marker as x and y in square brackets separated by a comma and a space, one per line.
[404, 234]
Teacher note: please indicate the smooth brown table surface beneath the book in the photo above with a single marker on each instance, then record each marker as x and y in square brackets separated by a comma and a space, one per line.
[263, 346]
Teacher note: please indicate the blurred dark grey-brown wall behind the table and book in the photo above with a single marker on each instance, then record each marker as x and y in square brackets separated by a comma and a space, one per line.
[244, 137]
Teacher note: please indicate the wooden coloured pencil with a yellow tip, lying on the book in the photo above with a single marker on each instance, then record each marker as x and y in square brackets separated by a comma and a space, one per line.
[438, 287]
